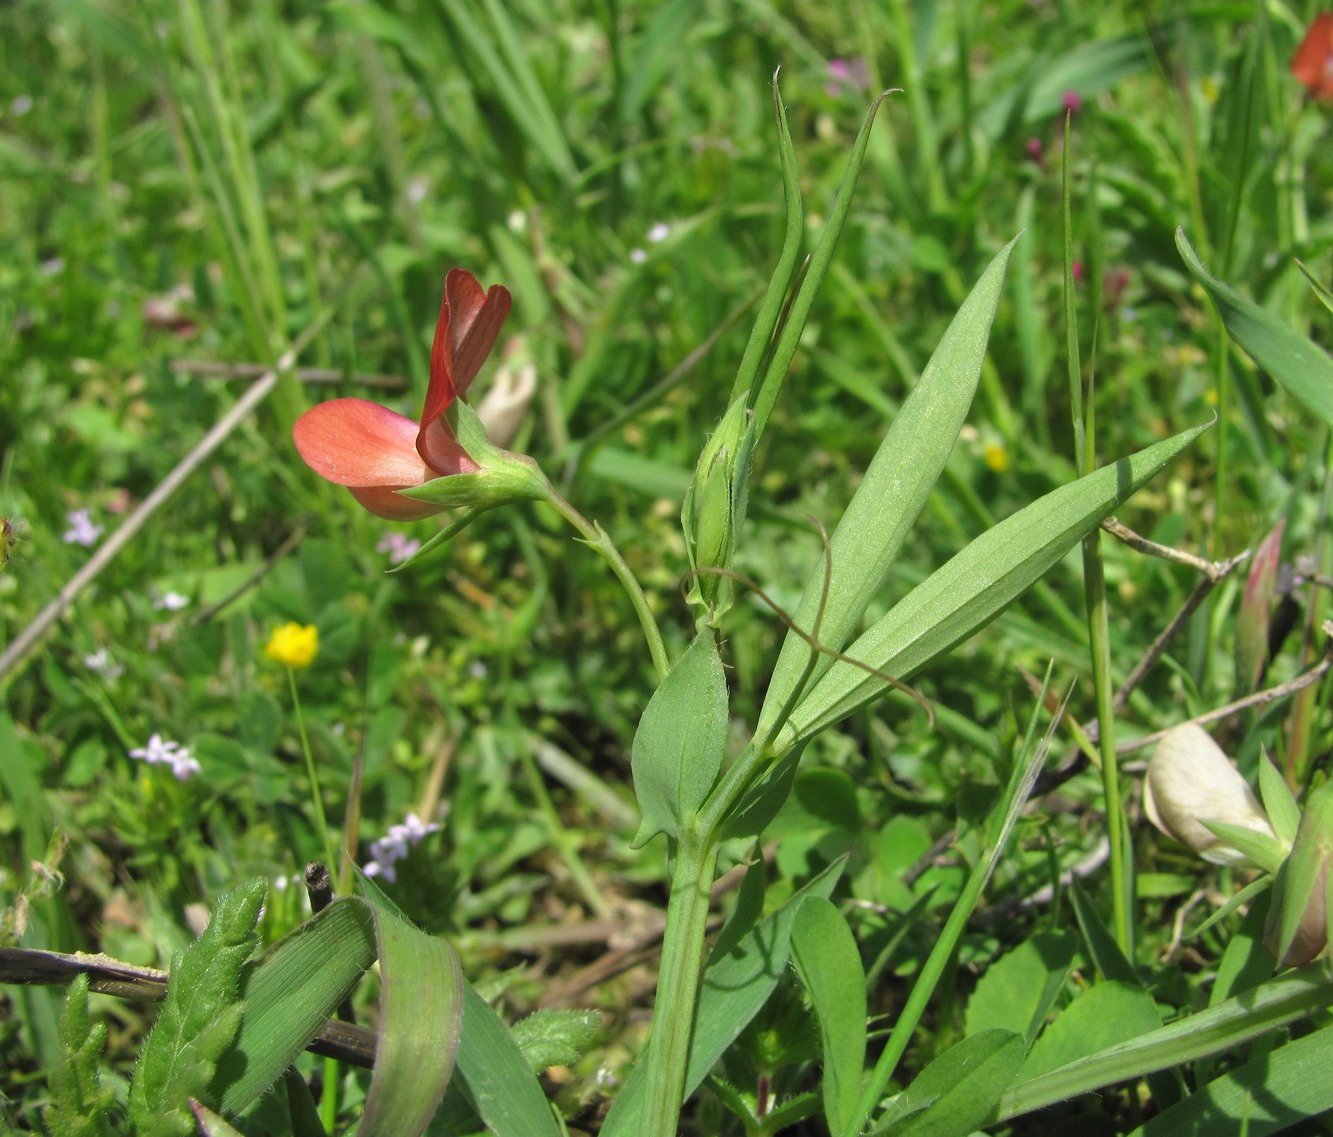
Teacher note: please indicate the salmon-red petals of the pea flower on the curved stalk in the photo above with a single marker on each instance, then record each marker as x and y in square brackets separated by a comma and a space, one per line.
[377, 453]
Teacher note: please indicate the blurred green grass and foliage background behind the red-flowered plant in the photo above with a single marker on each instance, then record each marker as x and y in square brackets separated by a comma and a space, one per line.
[271, 166]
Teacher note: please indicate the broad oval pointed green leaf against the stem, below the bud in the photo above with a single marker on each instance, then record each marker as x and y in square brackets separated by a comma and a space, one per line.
[679, 744]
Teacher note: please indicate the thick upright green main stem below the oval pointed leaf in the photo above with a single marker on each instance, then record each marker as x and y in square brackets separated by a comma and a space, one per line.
[678, 986]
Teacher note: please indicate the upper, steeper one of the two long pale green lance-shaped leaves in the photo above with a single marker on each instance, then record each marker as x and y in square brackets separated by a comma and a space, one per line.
[894, 493]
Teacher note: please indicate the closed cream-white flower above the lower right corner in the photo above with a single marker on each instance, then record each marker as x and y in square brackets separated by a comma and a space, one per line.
[1190, 782]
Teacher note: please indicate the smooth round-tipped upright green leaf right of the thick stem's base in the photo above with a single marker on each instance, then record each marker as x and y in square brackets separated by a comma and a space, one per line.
[828, 962]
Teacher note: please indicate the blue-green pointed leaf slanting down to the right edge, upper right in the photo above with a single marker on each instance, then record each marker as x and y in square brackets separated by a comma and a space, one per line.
[1291, 359]
